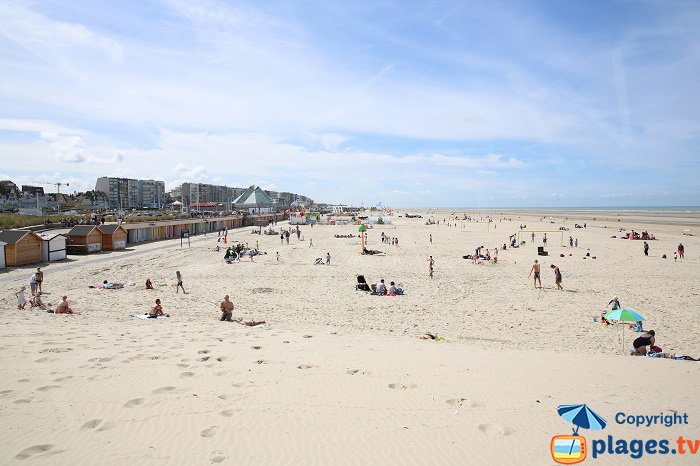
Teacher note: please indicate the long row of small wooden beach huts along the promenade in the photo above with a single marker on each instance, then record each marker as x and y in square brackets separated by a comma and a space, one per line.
[23, 247]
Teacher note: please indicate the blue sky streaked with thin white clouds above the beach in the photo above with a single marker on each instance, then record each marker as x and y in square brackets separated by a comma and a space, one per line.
[411, 103]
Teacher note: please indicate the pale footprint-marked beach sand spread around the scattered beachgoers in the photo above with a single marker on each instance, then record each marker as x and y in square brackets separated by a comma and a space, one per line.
[337, 376]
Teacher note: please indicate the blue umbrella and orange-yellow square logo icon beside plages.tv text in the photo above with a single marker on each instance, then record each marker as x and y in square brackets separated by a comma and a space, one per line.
[572, 449]
